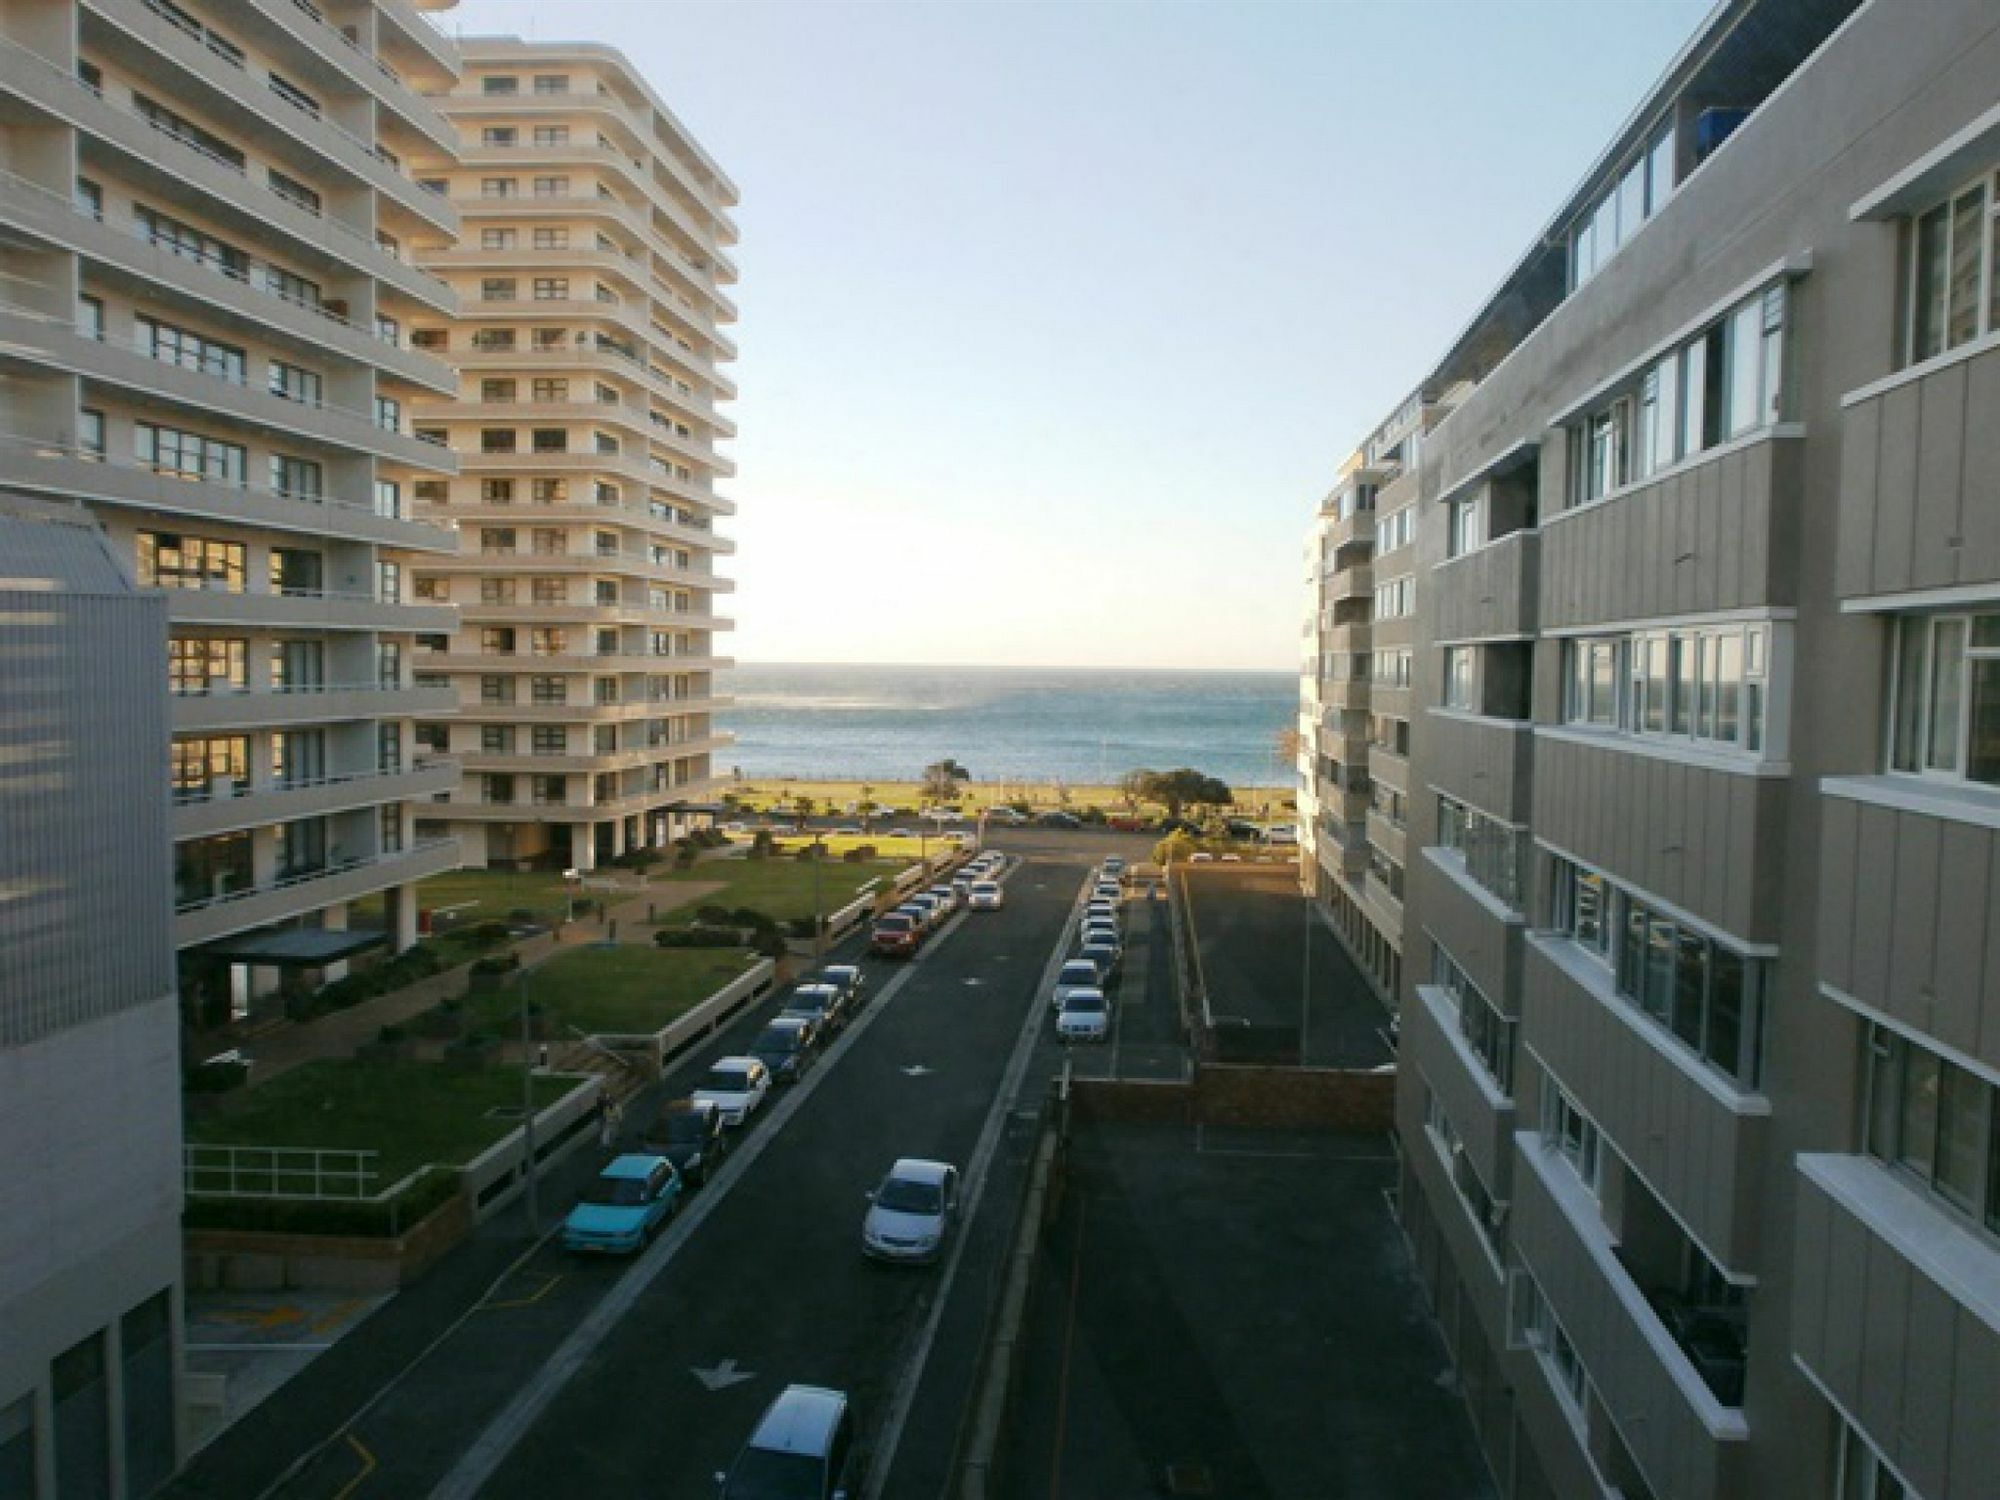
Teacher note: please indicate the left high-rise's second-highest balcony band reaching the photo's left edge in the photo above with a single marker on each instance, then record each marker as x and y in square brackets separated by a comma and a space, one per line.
[213, 287]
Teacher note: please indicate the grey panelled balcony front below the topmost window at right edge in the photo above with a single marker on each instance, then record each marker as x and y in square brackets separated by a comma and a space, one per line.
[1919, 477]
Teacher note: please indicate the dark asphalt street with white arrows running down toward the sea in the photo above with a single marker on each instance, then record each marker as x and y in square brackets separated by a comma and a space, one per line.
[577, 1377]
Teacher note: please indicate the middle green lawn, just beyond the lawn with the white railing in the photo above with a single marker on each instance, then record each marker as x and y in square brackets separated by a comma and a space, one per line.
[625, 989]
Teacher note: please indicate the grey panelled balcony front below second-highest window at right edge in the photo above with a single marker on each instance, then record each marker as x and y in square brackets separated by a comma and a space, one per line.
[1903, 881]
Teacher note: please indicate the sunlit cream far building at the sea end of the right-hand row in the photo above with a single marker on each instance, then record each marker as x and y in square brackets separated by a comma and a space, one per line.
[1355, 725]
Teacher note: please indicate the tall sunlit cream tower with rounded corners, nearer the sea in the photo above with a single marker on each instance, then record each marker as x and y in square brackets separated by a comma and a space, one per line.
[589, 347]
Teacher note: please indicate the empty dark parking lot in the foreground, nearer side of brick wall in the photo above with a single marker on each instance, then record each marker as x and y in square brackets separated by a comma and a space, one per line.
[1233, 1315]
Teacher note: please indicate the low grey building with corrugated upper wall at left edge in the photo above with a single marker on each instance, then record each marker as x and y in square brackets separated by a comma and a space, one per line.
[89, 1029]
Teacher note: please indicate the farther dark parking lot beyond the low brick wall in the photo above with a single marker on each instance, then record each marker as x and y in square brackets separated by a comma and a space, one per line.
[1275, 969]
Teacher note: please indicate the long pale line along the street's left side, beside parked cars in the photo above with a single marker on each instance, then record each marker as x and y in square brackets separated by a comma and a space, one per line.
[483, 1459]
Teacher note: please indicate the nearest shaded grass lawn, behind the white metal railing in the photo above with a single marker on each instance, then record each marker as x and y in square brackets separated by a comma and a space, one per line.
[413, 1113]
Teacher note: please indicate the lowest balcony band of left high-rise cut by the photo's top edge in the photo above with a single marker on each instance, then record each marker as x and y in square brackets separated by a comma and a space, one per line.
[149, 39]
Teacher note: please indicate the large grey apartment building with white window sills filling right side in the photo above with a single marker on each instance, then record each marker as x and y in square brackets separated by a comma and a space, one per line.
[1701, 979]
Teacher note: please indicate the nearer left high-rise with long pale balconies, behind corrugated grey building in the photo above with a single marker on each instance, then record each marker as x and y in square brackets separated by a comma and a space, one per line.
[207, 285]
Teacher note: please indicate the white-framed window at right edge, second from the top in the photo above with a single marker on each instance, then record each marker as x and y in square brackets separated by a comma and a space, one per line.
[1947, 697]
